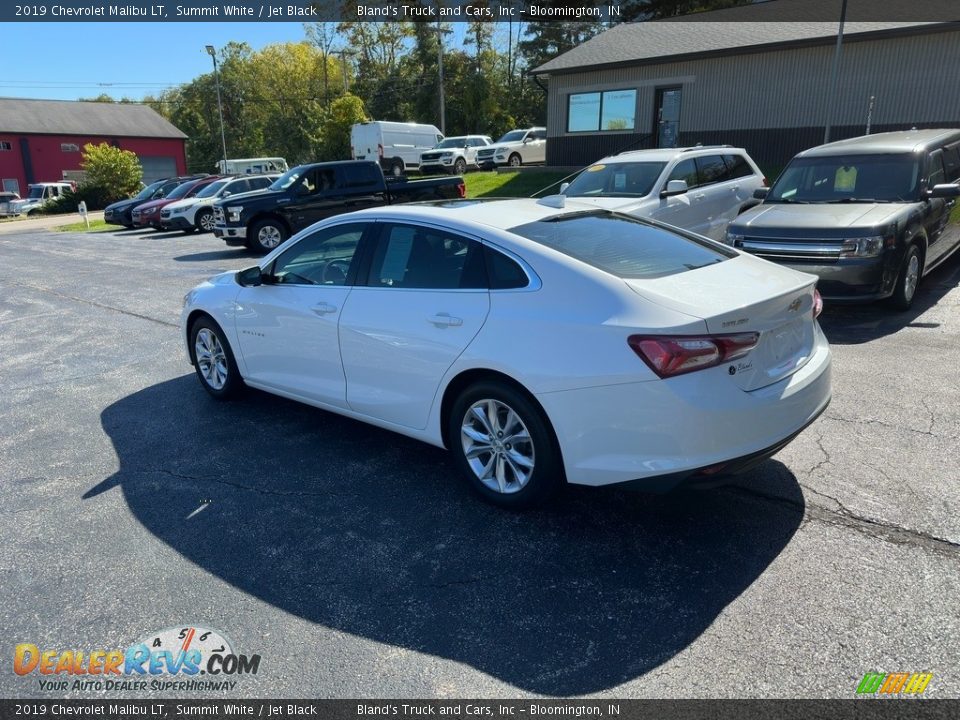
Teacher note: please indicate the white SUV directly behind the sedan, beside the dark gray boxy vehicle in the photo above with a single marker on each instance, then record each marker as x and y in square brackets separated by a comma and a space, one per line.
[700, 189]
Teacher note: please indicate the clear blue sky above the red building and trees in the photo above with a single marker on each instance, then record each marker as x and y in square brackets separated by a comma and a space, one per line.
[67, 61]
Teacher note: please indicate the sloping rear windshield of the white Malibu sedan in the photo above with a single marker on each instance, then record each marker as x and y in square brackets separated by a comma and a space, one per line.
[622, 245]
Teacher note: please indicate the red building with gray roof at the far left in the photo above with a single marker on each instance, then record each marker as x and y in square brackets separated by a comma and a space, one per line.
[42, 140]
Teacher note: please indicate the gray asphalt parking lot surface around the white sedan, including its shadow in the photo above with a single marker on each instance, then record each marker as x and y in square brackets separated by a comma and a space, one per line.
[354, 562]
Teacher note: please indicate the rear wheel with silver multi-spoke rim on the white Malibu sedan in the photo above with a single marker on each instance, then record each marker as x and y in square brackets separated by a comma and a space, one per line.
[504, 446]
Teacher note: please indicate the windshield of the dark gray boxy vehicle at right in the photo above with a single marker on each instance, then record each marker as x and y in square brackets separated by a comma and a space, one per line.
[849, 178]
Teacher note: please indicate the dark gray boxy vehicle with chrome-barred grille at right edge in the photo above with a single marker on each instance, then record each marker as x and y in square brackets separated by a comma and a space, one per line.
[869, 215]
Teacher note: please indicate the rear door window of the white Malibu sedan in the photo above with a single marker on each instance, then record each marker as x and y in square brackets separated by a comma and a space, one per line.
[414, 257]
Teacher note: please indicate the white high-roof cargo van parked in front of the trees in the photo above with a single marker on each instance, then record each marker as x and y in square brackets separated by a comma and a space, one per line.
[396, 146]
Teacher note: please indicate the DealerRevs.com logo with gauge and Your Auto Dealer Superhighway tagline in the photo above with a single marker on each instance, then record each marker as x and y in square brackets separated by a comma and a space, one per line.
[172, 659]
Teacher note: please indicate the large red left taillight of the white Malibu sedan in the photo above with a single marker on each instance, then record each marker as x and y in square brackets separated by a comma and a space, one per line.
[678, 354]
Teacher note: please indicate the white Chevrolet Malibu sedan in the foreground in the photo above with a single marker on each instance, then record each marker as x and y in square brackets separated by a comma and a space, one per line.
[541, 342]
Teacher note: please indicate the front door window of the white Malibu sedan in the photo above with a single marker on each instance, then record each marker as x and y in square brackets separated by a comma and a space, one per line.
[322, 258]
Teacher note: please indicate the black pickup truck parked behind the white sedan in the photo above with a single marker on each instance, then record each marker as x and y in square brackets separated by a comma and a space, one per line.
[309, 193]
